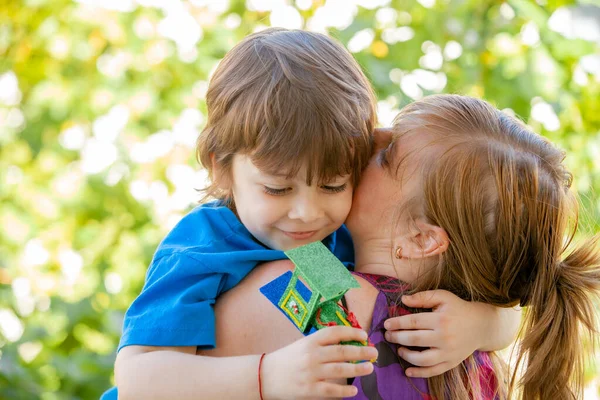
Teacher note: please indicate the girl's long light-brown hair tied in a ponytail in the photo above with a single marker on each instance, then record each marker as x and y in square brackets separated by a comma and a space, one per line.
[504, 197]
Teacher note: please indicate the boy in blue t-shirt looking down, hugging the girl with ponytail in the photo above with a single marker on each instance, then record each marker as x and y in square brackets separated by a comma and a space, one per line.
[289, 130]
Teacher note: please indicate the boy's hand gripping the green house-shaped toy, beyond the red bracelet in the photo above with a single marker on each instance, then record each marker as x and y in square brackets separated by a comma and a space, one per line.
[306, 368]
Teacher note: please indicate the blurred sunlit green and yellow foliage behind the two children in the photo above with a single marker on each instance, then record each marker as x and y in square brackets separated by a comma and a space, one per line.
[99, 110]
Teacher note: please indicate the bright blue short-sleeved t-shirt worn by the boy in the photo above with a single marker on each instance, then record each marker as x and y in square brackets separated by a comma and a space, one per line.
[207, 253]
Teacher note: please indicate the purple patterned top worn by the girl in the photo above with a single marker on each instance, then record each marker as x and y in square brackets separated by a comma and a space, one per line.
[388, 380]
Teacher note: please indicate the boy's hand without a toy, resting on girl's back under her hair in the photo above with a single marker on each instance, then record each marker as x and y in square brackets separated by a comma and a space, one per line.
[453, 331]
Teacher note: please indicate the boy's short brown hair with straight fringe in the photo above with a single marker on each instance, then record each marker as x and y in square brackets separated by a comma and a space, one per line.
[288, 98]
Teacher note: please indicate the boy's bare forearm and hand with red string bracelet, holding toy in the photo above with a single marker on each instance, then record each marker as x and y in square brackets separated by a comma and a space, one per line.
[315, 366]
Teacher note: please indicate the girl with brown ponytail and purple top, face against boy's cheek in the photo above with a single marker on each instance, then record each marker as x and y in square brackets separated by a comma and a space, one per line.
[466, 199]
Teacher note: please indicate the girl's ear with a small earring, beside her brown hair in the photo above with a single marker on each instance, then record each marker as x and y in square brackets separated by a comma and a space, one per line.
[426, 240]
